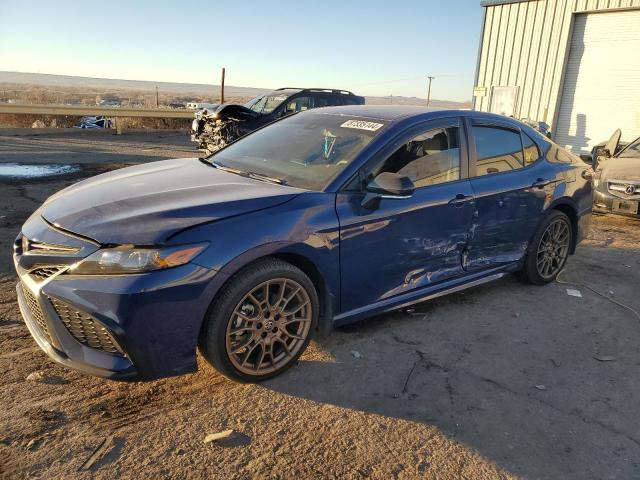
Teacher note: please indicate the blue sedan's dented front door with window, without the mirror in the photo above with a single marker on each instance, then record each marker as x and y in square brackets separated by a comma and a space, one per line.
[409, 243]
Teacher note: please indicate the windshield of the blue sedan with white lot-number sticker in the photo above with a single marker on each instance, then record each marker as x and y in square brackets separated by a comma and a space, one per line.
[306, 150]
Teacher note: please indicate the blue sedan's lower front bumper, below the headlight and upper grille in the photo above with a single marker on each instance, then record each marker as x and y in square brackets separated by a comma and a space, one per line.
[154, 320]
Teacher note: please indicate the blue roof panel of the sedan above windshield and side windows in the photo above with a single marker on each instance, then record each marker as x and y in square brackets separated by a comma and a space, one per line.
[393, 113]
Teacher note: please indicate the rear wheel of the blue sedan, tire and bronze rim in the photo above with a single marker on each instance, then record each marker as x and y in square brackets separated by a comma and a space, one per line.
[549, 249]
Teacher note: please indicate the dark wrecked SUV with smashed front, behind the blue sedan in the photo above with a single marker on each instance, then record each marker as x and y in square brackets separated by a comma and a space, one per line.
[213, 129]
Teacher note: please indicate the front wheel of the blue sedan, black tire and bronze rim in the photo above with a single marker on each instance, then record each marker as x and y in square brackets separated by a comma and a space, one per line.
[261, 322]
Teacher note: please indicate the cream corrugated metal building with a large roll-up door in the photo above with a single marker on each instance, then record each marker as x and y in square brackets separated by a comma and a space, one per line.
[574, 64]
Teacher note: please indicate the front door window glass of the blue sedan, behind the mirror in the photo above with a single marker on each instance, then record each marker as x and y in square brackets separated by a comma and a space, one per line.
[427, 159]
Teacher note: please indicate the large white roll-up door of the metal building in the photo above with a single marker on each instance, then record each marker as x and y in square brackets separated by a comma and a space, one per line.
[601, 90]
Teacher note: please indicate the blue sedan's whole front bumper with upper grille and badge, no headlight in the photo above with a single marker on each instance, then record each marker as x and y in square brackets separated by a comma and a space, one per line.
[130, 327]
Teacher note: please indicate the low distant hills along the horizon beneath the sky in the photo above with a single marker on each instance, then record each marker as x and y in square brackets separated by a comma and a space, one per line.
[196, 89]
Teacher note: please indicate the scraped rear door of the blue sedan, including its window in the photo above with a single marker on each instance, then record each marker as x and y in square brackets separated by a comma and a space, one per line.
[509, 184]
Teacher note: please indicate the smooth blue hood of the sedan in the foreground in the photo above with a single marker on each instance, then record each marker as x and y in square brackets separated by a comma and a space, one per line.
[147, 204]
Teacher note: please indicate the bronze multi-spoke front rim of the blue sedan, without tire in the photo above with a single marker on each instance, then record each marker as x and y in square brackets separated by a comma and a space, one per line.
[269, 327]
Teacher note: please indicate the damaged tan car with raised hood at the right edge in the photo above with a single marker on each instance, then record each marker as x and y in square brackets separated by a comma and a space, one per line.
[616, 178]
